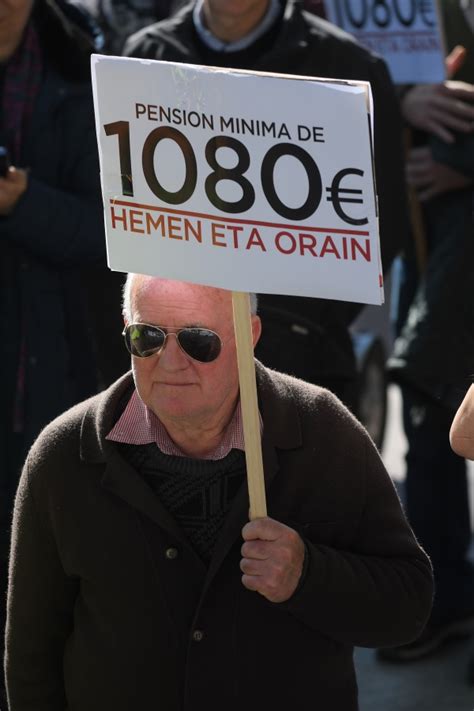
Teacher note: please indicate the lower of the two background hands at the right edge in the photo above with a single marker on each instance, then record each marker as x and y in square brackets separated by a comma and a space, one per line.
[430, 178]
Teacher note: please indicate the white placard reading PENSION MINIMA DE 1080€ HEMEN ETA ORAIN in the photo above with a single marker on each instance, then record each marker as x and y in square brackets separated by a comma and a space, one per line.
[249, 182]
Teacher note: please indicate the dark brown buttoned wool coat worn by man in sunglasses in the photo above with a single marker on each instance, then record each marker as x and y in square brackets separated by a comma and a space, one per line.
[103, 616]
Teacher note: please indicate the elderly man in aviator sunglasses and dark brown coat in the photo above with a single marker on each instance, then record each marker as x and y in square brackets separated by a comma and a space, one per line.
[137, 581]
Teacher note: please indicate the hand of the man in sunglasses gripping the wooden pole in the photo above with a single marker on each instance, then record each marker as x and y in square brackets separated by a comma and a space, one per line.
[272, 559]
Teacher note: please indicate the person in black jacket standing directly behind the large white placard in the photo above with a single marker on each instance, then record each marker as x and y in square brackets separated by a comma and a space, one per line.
[305, 337]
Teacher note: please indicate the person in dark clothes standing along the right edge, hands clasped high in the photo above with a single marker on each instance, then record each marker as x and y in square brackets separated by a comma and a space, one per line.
[434, 353]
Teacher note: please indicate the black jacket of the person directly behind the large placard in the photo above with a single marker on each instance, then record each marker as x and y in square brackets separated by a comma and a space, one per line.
[320, 347]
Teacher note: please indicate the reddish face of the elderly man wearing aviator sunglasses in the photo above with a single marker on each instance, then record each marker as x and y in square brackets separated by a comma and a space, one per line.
[173, 385]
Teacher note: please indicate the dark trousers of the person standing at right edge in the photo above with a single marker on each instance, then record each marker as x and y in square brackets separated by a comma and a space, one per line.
[437, 502]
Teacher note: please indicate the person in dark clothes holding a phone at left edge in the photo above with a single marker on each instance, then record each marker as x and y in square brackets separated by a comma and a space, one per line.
[50, 230]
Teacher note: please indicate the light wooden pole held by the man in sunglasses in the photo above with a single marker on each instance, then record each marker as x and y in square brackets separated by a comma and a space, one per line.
[249, 404]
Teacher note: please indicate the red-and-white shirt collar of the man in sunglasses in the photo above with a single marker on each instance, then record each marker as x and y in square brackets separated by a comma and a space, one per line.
[139, 425]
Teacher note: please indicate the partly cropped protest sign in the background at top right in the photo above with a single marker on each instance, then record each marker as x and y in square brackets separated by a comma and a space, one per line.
[406, 33]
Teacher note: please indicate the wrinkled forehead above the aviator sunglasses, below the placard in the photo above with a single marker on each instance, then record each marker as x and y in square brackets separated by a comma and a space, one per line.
[188, 302]
